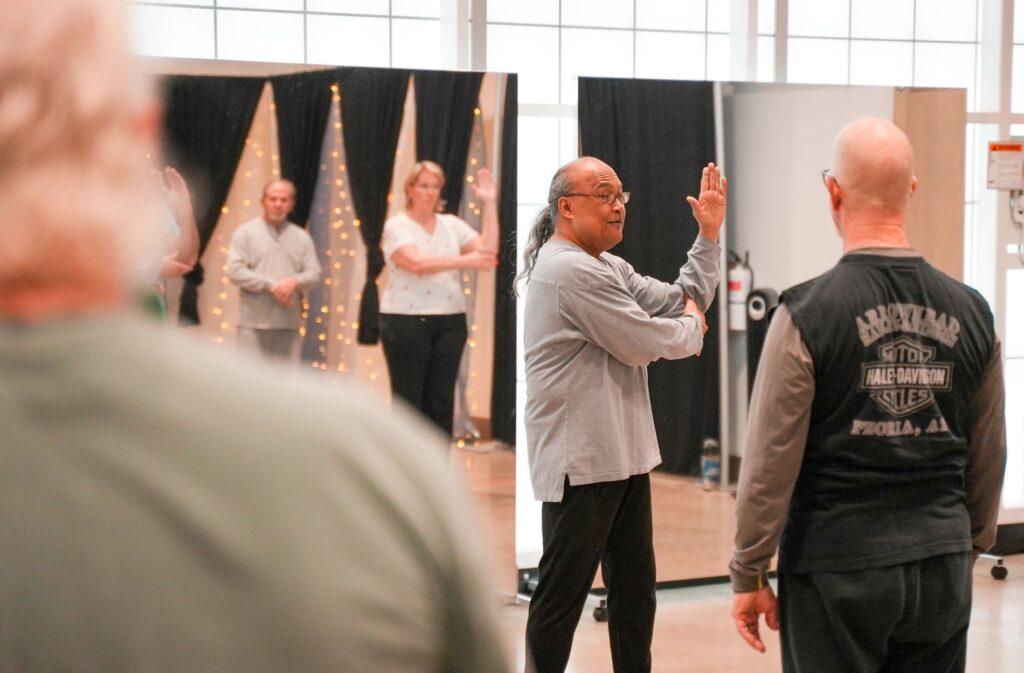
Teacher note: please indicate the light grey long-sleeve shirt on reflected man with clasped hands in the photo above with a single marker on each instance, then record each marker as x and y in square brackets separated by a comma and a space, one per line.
[260, 257]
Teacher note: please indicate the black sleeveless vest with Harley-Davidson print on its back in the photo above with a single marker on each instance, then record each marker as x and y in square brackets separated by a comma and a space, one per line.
[900, 350]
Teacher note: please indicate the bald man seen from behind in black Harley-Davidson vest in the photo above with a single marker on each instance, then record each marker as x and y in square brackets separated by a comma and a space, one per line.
[876, 443]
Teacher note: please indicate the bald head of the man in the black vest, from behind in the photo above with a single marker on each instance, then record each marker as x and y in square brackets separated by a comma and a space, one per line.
[873, 162]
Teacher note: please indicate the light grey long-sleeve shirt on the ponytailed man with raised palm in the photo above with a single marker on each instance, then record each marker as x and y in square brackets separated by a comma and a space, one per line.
[592, 326]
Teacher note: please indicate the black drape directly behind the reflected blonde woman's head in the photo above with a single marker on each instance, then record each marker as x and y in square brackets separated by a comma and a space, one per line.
[445, 104]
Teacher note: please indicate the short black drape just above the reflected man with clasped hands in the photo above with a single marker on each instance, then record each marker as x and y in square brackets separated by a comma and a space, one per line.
[304, 103]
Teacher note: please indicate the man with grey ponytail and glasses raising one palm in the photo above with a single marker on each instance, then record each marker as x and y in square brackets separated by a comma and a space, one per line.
[592, 326]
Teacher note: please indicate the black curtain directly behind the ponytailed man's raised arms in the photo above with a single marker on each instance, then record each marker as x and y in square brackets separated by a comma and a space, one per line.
[659, 136]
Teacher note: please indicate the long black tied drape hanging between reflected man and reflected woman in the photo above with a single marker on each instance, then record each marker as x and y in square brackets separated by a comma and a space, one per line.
[372, 102]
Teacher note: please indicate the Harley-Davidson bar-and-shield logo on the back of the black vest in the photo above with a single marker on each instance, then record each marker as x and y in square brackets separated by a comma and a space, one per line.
[906, 378]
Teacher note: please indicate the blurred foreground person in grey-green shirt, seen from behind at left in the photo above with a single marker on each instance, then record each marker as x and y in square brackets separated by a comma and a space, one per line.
[167, 508]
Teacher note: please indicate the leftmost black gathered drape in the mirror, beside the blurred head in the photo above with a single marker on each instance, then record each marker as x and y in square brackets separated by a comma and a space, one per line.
[206, 120]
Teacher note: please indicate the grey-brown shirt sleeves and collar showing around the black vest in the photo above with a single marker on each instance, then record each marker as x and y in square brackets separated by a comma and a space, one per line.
[777, 436]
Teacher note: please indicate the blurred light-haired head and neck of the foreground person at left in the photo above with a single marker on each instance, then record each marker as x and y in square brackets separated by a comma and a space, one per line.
[74, 157]
